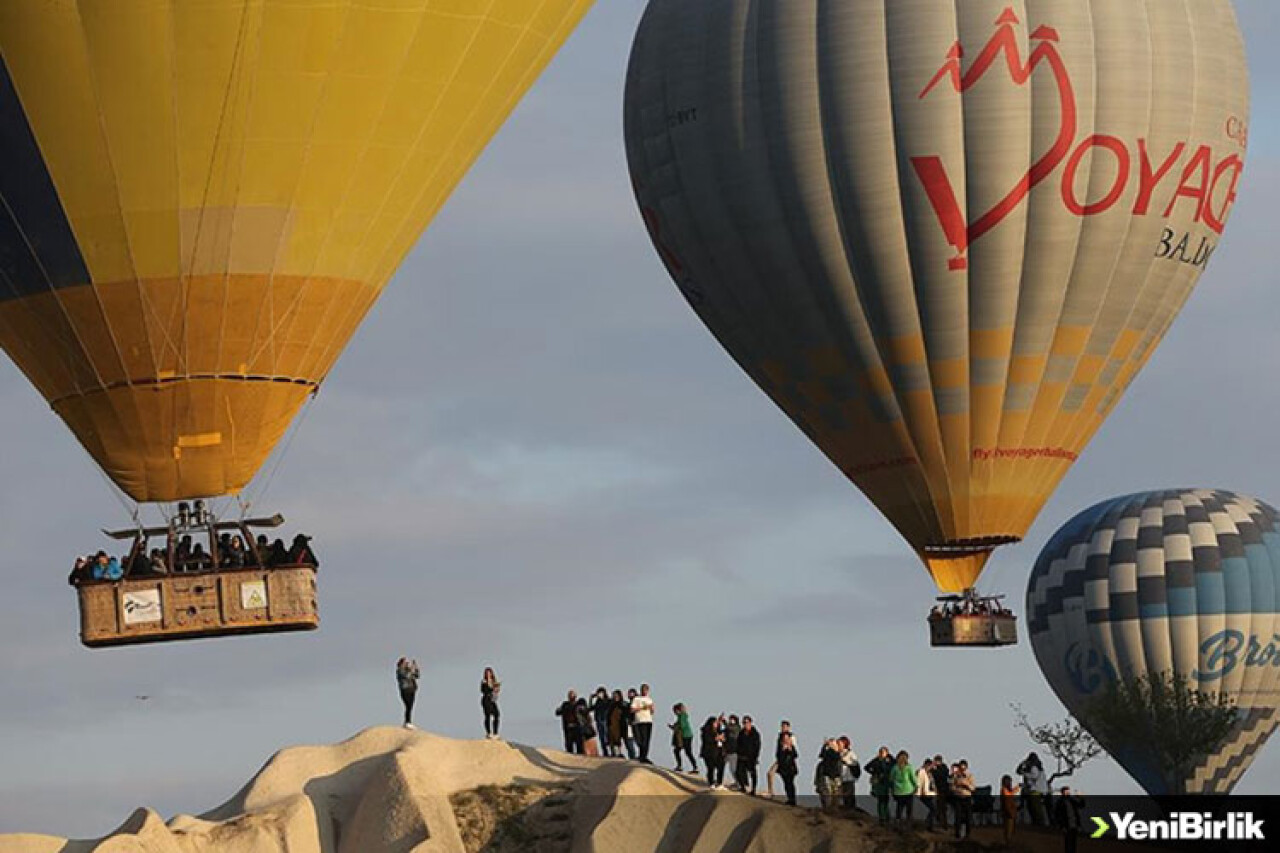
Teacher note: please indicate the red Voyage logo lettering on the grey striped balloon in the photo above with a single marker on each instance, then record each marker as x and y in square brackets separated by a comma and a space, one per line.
[1201, 180]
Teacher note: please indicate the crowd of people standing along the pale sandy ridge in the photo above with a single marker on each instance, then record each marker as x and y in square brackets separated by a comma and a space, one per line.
[619, 724]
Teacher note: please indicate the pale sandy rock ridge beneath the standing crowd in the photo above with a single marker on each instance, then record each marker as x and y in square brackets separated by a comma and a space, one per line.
[399, 791]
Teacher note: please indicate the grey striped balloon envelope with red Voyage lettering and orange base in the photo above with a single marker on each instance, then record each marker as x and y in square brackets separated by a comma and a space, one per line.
[943, 238]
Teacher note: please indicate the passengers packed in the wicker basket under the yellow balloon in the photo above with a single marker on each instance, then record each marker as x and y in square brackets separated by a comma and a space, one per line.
[189, 556]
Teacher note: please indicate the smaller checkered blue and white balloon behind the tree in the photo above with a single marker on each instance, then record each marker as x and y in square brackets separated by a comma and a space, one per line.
[1182, 582]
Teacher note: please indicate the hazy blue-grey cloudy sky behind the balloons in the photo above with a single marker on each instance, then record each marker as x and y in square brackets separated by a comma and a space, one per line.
[534, 457]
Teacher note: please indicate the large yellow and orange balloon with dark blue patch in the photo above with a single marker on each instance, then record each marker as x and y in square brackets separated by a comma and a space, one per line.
[203, 200]
